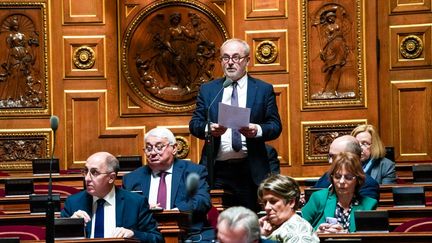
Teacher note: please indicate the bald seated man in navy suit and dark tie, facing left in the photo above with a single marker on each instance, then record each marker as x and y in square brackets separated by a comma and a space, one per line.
[124, 214]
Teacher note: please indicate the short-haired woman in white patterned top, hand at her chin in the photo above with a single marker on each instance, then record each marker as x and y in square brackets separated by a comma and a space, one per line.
[280, 196]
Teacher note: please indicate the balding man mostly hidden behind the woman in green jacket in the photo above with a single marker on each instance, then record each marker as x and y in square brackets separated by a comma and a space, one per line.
[348, 143]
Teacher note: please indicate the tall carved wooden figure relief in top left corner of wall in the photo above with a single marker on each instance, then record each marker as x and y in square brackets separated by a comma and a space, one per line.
[23, 59]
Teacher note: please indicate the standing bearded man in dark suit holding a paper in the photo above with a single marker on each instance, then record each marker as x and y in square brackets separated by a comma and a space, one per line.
[240, 156]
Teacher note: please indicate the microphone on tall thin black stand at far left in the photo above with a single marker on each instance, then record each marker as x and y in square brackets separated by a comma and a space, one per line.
[49, 233]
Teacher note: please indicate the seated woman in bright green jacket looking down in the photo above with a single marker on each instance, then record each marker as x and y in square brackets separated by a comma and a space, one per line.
[332, 210]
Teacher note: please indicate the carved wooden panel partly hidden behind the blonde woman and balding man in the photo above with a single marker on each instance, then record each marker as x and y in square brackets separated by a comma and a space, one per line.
[317, 137]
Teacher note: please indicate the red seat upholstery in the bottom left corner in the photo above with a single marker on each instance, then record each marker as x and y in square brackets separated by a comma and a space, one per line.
[24, 232]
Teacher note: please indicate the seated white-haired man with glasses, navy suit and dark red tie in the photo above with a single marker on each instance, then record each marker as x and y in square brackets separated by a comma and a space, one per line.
[182, 193]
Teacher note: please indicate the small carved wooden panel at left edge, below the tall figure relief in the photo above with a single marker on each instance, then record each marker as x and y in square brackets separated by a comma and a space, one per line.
[18, 149]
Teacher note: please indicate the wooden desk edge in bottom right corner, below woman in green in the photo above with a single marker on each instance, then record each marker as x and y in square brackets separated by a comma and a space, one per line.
[394, 237]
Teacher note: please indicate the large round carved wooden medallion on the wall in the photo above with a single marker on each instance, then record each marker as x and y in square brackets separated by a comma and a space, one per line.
[168, 50]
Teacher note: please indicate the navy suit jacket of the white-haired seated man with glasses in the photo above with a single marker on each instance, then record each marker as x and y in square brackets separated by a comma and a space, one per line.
[199, 203]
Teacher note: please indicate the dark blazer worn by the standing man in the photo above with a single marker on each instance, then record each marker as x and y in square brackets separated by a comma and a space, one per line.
[262, 102]
